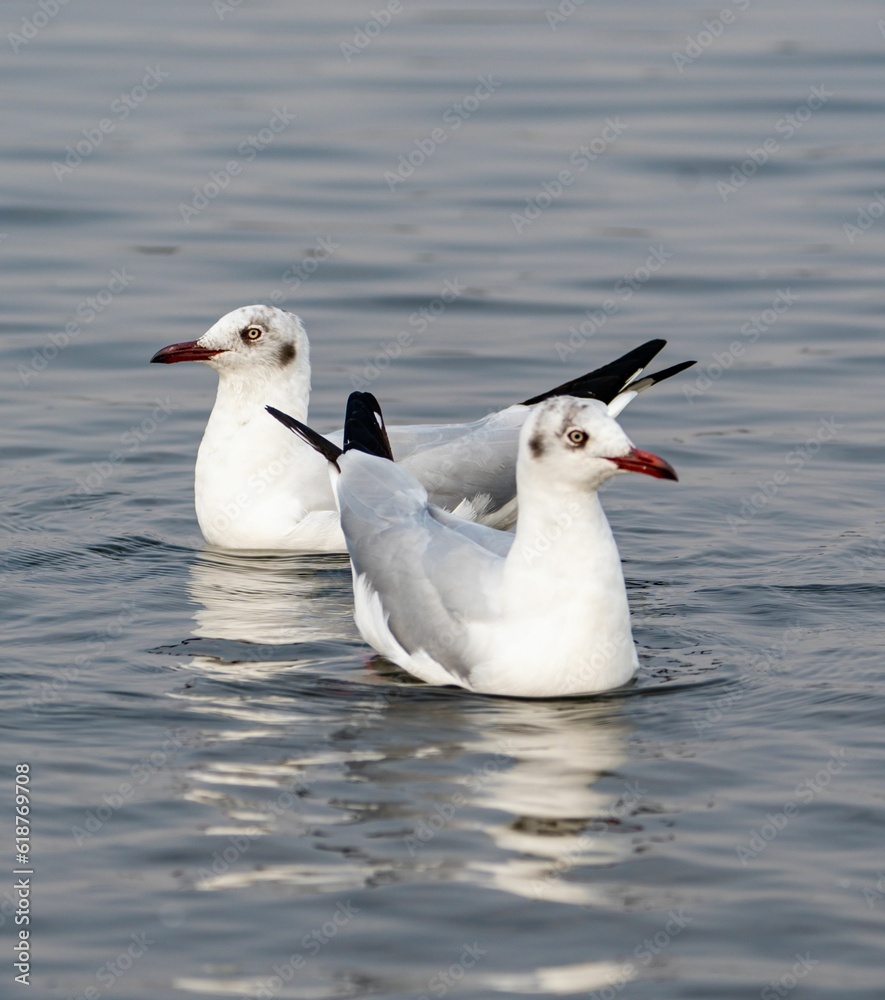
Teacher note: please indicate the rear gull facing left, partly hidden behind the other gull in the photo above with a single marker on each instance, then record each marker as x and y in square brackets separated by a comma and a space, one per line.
[261, 488]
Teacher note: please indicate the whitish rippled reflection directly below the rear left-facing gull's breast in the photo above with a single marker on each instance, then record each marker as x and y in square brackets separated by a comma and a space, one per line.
[267, 628]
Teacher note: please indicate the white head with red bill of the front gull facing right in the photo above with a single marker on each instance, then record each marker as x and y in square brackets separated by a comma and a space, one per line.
[574, 443]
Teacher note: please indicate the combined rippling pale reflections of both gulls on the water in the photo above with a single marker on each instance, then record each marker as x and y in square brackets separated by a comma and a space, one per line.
[327, 779]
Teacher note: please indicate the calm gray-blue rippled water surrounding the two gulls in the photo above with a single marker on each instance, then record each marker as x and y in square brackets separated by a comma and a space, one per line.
[229, 798]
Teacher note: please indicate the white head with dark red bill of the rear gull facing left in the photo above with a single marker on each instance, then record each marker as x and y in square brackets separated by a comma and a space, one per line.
[256, 343]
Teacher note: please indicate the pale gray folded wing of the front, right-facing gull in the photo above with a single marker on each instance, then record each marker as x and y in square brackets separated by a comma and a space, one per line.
[432, 574]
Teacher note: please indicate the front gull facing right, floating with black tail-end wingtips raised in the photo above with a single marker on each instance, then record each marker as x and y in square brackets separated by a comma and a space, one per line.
[536, 613]
